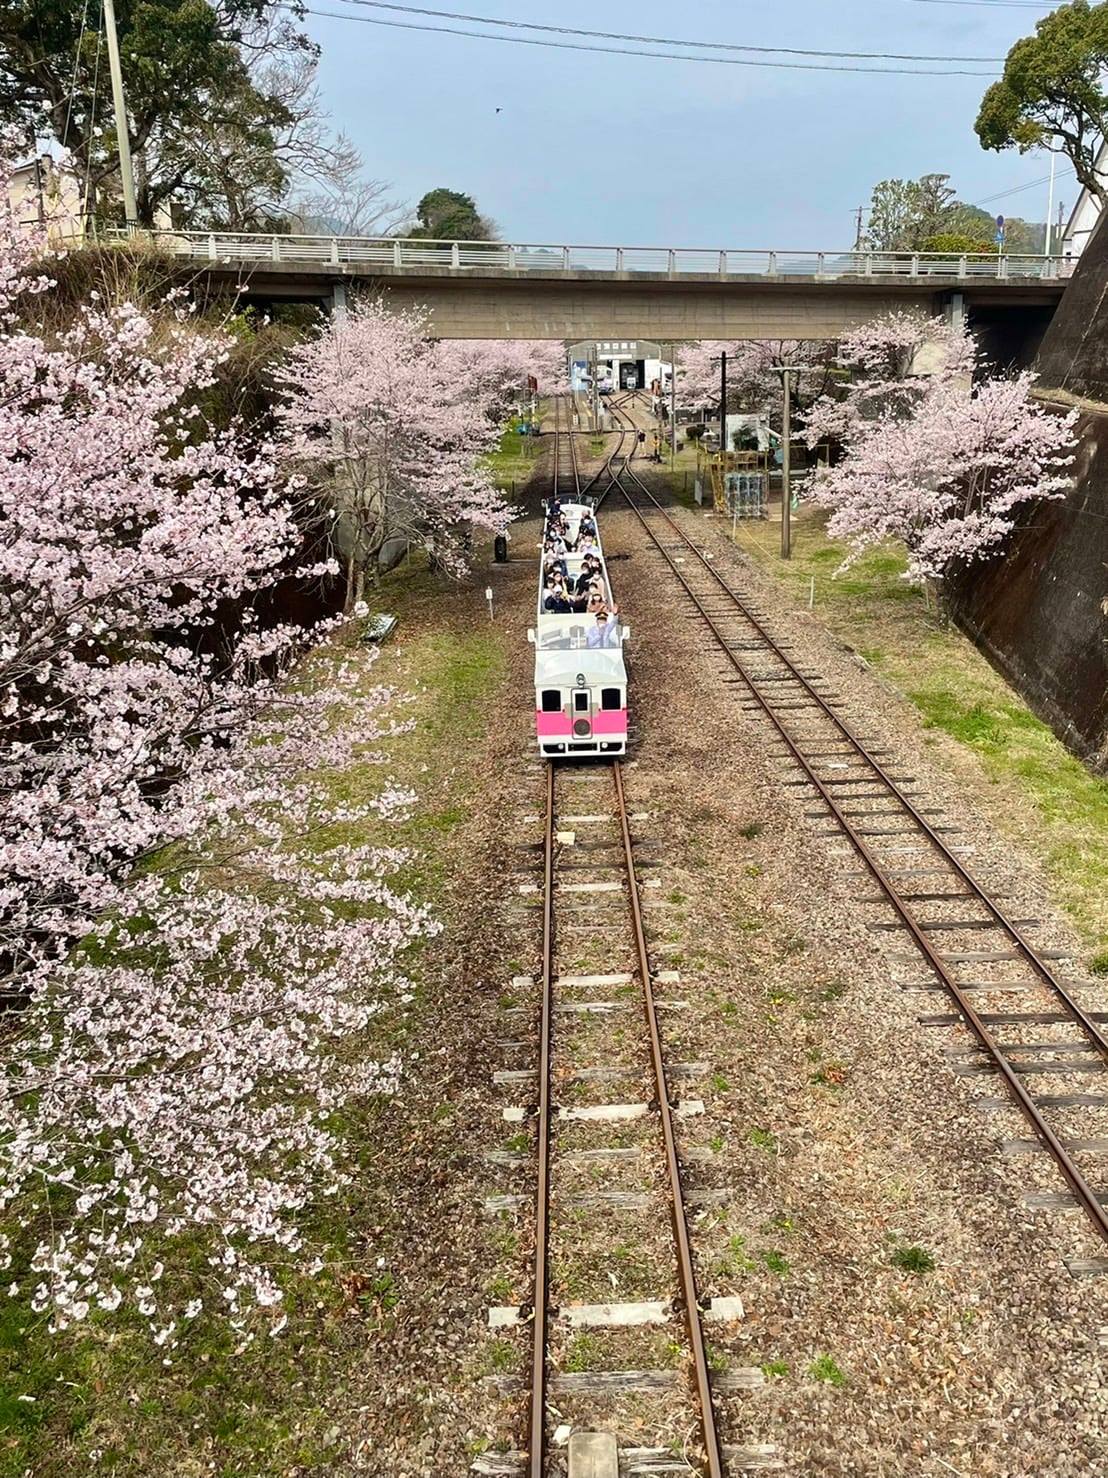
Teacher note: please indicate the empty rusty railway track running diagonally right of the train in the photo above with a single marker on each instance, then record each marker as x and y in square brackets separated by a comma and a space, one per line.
[976, 953]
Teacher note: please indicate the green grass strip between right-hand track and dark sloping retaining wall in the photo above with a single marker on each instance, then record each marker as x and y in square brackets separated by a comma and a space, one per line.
[1035, 787]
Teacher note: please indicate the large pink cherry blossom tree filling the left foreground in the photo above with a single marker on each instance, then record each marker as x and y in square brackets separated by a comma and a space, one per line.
[177, 1065]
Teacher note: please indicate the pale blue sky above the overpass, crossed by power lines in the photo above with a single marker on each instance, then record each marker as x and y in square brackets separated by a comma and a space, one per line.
[642, 151]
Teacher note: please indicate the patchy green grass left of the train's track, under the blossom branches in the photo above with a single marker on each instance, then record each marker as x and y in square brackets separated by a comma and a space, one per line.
[276, 1408]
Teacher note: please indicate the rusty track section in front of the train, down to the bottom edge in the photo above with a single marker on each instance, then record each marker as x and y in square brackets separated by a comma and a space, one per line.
[587, 815]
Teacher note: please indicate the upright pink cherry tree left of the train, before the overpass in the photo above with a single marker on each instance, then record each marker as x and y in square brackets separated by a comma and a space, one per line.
[392, 437]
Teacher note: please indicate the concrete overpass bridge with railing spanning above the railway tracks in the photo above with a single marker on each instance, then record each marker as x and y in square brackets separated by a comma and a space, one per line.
[505, 290]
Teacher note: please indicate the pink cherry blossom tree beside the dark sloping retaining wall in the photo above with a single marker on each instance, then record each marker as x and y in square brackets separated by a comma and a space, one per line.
[934, 459]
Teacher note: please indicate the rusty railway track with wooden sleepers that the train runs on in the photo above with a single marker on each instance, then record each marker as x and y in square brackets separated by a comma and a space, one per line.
[609, 1173]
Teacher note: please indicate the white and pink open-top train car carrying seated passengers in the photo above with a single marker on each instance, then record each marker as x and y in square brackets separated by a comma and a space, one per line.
[580, 673]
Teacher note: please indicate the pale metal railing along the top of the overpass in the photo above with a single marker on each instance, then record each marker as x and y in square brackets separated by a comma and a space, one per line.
[388, 255]
